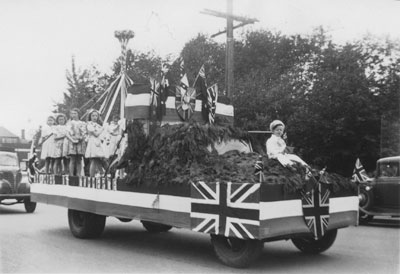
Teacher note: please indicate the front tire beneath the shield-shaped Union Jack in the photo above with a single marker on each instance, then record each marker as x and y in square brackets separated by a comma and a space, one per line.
[312, 246]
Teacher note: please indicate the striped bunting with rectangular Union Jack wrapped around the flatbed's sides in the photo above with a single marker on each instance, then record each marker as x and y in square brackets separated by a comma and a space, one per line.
[254, 211]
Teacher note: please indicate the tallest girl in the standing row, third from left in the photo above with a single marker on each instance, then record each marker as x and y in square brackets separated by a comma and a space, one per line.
[75, 145]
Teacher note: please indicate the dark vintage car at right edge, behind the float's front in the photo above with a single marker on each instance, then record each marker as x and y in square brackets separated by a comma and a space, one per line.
[380, 196]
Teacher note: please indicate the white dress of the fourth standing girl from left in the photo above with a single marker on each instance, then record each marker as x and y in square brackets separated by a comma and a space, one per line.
[94, 147]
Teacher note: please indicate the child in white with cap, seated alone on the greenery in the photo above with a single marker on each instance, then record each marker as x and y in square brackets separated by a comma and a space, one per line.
[276, 146]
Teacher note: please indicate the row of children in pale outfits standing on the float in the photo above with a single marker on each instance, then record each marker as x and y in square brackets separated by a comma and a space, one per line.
[68, 145]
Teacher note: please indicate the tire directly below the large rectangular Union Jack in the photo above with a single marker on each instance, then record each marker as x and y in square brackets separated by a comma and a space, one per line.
[236, 252]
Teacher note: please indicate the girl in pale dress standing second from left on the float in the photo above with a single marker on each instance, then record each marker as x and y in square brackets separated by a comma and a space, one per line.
[60, 133]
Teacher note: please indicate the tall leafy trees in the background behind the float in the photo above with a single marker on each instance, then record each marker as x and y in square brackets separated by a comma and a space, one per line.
[339, 102]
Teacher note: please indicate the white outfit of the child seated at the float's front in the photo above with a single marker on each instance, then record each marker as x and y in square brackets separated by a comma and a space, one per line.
[276, 150]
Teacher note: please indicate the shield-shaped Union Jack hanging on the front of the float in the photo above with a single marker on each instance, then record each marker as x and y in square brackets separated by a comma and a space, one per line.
[316, 210]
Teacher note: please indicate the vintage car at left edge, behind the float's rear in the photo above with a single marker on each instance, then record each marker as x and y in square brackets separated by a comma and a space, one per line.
[14, 184]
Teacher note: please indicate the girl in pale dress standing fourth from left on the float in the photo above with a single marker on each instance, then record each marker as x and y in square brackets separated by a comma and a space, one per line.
[95, 150]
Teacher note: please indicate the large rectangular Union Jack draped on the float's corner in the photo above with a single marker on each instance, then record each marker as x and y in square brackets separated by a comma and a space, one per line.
[225, 209]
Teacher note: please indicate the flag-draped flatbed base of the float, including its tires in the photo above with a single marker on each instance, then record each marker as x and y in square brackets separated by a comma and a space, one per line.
[239, 217]
